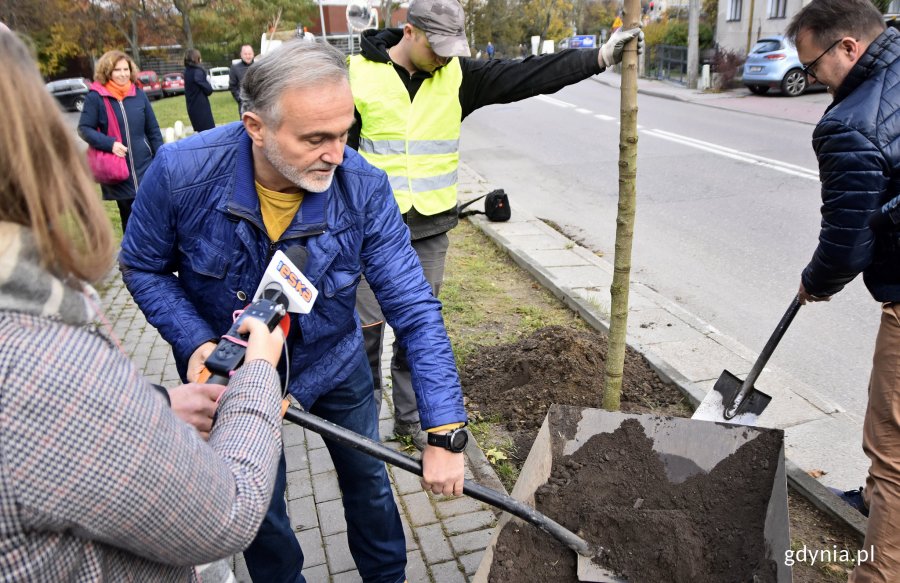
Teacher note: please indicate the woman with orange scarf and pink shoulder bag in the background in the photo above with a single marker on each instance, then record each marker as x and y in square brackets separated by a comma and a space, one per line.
[114, 81]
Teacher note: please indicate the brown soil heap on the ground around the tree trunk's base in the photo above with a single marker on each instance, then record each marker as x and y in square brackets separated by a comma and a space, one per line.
[518, 382]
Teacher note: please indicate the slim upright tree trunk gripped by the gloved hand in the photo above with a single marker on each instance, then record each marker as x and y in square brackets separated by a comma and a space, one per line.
[618, 323]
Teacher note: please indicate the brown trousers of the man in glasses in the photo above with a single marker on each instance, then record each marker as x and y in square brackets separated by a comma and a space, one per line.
[881, 442]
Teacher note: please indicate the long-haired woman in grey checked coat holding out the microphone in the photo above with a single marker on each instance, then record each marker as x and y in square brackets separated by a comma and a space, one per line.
[100, 479]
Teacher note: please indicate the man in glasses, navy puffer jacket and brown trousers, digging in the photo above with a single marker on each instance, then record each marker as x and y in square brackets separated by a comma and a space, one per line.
[857, 142]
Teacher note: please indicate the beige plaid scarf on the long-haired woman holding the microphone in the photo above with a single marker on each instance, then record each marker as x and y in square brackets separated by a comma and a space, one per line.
[27, 287]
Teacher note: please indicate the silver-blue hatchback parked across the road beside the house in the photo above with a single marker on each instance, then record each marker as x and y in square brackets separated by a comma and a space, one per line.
[773, 63]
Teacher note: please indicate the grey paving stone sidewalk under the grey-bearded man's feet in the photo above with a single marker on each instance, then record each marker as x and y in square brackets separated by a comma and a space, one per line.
[445, 536]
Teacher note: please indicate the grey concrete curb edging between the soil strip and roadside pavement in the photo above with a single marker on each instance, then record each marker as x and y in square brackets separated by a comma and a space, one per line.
[798, 479]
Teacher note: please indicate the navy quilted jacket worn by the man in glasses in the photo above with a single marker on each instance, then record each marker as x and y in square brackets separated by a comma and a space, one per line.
[857, 143]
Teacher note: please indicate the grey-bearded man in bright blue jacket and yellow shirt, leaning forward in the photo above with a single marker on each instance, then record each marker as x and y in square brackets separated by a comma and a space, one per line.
[212, 211]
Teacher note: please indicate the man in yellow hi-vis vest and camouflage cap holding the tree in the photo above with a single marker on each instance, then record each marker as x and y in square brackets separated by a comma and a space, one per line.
[419, 101]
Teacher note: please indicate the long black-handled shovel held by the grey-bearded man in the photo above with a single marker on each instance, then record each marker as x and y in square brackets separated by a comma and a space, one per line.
[588, 570]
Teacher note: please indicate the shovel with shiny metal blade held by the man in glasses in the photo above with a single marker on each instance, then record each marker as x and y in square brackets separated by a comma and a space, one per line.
[739, 402]
